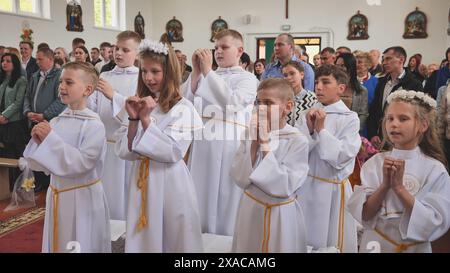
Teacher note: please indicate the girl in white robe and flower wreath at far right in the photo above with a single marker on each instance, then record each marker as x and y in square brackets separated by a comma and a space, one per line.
[404, 200]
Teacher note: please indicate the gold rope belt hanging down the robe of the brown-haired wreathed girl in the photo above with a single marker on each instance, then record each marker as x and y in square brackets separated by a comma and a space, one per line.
[142, 184]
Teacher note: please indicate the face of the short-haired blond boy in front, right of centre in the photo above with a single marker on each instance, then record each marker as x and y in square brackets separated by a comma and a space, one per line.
[277, 107]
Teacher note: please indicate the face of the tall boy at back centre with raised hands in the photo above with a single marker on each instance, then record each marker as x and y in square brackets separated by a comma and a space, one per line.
[228, 52]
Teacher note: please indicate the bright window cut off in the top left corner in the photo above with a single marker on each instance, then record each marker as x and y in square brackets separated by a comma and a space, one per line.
[35, 8]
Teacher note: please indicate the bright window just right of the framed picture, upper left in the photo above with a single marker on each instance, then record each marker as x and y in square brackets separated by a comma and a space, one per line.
[110, 14]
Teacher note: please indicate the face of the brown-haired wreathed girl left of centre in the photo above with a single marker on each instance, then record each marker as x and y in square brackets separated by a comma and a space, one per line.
[152, 75]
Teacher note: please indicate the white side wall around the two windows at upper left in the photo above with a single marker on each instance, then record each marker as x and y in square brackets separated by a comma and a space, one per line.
[54, 31]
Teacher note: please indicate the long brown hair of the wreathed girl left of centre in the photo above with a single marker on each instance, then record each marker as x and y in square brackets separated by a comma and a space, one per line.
[170, 92]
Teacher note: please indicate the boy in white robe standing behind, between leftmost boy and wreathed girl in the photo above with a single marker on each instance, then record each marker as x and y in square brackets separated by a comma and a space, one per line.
[108, 101]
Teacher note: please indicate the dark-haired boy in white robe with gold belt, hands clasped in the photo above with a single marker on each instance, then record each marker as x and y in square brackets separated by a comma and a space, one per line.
[334, 143]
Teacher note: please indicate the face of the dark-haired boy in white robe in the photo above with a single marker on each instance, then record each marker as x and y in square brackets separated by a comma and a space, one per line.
[328, 90]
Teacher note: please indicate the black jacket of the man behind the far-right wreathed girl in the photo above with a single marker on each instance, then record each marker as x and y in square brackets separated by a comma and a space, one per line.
[408, 82]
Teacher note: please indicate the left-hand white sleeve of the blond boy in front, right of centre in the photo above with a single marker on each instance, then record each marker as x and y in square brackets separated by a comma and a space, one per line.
[241, 168]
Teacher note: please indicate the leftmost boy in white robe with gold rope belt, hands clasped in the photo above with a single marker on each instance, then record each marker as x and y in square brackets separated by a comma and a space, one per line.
[72, 148]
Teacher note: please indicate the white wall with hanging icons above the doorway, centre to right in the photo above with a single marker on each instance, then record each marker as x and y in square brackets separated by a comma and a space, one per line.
[386, 22]
